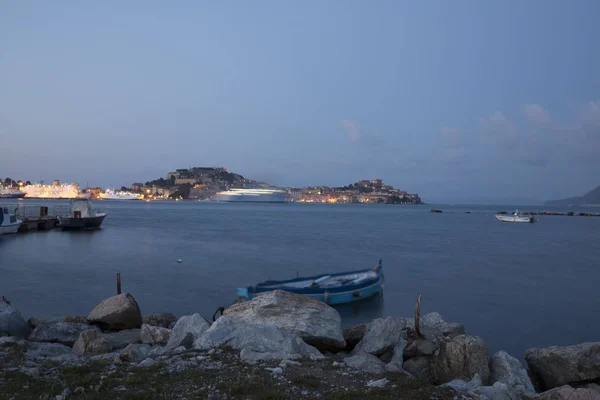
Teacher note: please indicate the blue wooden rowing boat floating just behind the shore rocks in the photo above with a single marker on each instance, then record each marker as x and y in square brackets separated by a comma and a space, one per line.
[338, 288]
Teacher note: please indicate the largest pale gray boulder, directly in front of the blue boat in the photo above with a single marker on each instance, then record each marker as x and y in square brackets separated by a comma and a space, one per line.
[315, 322]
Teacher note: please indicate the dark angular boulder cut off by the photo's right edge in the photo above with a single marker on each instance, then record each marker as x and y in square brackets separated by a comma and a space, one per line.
[557, 366]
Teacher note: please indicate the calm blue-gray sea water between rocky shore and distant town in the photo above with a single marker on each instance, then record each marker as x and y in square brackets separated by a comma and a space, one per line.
[516, 285]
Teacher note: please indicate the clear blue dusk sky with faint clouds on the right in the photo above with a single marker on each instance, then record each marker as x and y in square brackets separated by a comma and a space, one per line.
[453, 100]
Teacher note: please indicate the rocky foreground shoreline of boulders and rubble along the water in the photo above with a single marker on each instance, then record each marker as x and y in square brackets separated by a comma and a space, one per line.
[277, 346]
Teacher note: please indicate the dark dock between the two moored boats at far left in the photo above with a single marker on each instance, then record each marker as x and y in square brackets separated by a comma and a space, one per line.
[38, 216]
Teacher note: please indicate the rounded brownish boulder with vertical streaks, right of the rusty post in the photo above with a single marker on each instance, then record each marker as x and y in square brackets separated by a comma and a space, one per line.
[461, 357]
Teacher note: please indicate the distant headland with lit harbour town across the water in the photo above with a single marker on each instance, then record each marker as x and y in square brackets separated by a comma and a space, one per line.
[213, 183]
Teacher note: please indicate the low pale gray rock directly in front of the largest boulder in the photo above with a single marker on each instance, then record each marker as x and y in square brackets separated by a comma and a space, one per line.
[268, 340]
